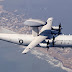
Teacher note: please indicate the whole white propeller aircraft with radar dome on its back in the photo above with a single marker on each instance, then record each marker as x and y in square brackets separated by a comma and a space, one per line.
[48, 36]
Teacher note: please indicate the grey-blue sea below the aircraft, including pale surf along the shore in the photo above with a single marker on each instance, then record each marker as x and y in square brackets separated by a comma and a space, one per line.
[12, 60]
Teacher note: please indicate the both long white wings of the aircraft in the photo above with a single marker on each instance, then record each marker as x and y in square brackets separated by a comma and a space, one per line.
[39, 38]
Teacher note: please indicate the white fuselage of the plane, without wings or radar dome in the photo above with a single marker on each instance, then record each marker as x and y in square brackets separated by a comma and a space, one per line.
[23, 39]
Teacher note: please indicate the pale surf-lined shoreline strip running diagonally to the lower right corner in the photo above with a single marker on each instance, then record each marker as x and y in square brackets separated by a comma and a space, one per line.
[40, 55]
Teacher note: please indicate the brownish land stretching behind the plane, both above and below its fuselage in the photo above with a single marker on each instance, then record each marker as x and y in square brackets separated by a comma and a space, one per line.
[15, 22]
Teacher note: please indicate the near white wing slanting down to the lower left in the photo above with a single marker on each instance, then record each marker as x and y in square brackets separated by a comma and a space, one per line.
[35, 42]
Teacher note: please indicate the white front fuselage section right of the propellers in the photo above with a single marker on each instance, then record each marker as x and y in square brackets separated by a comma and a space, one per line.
[63, 41]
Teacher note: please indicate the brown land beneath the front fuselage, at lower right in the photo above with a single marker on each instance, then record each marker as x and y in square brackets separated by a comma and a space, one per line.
[63, 55]
